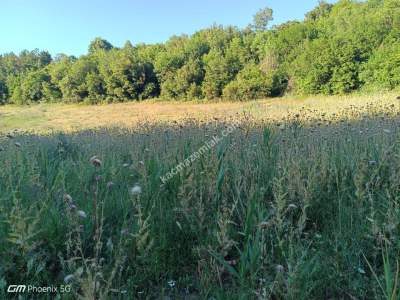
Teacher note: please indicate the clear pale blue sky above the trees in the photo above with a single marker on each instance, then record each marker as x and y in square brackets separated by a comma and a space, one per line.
[67, 26]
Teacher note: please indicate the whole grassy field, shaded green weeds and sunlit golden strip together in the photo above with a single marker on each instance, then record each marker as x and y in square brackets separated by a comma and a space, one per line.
[272, 199]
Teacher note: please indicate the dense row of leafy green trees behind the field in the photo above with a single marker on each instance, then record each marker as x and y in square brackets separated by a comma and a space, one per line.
[337, 49]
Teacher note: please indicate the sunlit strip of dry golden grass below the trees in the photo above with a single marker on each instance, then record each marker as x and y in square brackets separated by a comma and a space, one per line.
[64, 117]
